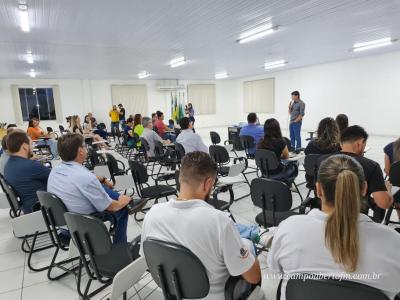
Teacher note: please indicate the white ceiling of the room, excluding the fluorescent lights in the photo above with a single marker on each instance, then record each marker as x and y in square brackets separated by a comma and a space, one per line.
[105, 39]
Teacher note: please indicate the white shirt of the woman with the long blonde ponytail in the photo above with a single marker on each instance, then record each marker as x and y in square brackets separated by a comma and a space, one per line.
[299, 247]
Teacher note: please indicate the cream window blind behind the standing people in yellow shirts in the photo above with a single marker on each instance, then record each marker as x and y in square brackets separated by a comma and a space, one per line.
[132, 97]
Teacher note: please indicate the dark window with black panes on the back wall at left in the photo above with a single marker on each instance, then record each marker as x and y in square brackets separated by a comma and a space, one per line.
[37, 103]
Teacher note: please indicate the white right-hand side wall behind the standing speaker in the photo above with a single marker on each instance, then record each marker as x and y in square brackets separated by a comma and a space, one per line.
[366, 89]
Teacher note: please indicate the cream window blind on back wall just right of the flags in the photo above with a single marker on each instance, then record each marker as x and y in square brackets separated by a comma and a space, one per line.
[202, 97]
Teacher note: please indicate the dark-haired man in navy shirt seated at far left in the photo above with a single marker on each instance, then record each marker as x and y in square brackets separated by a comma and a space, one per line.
[26, 176]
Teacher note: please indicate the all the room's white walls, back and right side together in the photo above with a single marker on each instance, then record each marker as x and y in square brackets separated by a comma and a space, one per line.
[366, 89]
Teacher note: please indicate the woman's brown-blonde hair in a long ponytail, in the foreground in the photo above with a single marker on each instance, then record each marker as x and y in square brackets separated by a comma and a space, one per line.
[342, 179]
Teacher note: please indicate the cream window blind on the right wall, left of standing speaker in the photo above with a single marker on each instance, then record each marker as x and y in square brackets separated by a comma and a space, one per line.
[259, 96]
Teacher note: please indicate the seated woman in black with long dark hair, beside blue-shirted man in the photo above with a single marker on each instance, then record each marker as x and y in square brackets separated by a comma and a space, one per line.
[274, 142]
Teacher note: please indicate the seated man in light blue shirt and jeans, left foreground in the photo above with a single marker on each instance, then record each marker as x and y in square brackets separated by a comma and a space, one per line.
[80, 190]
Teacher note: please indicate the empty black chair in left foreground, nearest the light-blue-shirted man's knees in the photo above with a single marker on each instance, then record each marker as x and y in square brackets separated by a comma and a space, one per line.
[101, 259]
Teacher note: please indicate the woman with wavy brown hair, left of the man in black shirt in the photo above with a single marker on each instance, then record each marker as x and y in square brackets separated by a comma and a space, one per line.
[328, 138]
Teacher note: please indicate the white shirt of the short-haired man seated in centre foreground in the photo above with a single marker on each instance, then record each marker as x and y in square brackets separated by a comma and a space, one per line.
[209, 233]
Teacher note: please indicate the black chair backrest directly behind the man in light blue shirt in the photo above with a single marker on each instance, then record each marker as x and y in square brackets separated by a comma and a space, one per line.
[53, 208]
